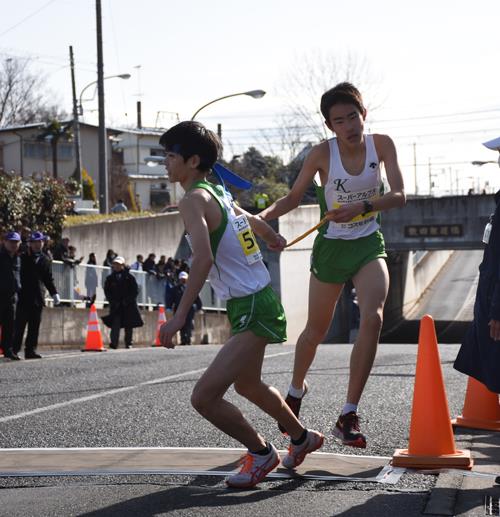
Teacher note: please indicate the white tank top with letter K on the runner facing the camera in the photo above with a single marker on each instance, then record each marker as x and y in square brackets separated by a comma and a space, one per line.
[343, 188]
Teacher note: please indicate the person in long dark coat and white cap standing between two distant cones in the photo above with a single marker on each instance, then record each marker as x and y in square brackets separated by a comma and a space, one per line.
[121, 292]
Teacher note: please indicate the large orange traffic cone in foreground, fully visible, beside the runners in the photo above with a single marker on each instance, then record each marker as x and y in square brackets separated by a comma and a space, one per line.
[432, 444]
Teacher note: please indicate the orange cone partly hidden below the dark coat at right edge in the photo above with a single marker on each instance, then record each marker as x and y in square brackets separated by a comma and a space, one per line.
[481, 408]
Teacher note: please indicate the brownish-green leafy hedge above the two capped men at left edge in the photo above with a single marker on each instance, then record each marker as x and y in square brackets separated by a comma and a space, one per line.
[38, 205]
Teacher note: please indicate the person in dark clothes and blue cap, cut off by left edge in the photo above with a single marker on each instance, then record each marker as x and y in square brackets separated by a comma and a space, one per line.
[10, 285]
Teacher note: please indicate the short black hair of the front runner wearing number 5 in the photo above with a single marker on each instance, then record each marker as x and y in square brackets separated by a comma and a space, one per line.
[191, 138]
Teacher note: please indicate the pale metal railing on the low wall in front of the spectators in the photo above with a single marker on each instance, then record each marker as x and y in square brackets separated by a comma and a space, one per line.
[76, 284]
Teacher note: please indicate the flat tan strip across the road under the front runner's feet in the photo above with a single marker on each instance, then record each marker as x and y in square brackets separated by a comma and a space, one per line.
[185, 461]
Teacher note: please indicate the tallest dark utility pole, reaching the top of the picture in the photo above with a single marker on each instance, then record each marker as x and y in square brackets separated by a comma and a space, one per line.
[103, 172]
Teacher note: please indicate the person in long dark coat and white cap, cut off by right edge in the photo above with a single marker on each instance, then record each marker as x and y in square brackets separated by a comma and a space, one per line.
[479, 355]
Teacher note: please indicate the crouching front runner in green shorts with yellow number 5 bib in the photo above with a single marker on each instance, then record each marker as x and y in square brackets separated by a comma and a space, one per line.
[224, 248]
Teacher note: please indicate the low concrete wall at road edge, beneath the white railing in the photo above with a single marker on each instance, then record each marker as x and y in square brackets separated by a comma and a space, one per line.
[64, 327]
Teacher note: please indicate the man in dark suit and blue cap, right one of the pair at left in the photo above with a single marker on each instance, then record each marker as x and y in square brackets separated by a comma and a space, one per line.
[36, 272]
